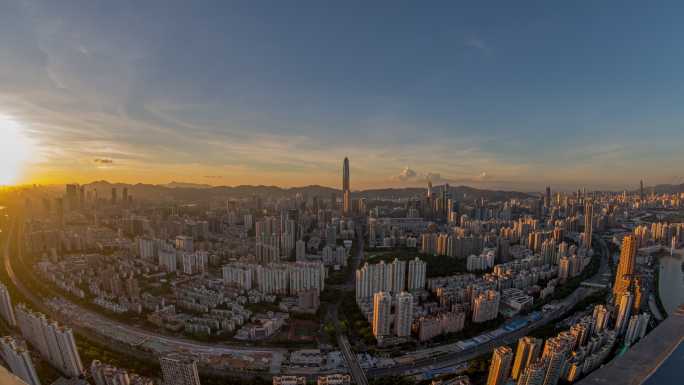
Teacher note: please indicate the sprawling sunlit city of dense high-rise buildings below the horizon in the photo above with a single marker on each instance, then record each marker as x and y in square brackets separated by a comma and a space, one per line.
[452, 285]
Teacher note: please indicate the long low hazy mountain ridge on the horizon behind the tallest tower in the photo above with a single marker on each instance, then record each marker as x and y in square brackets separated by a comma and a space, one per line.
[201, 192]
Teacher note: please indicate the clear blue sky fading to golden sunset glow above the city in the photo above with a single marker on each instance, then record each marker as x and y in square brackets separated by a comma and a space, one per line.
[492, 94]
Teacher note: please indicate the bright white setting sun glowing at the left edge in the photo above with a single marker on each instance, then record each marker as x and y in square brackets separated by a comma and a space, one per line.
[14, 150]
